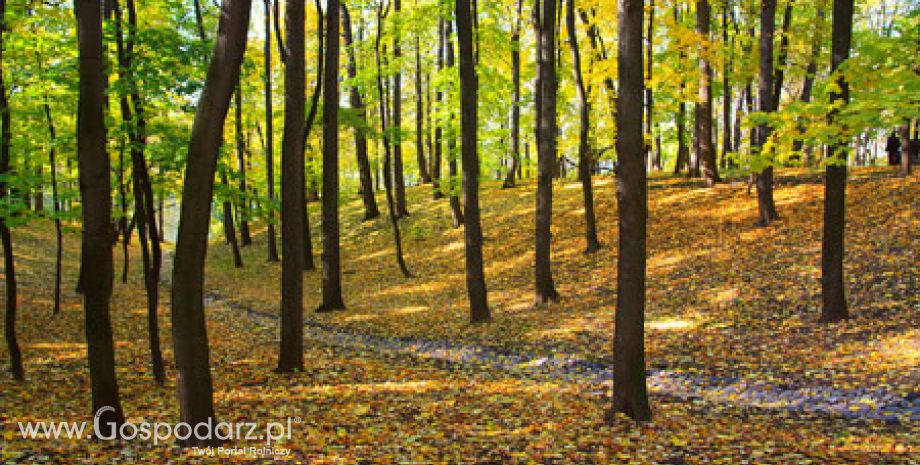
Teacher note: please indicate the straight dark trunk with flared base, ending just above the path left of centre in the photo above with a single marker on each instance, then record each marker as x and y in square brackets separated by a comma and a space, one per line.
[332, 272]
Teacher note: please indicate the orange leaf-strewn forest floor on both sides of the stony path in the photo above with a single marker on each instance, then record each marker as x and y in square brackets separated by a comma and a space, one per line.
[726, 299]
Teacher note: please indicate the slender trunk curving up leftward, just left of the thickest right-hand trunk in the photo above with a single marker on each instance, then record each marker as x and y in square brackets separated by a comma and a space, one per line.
[584, 153]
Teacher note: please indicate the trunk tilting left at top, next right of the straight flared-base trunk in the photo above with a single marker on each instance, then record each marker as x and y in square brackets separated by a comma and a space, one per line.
[364, 167]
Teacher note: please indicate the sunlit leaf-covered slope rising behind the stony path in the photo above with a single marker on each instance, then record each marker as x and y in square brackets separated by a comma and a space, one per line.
[725, 297]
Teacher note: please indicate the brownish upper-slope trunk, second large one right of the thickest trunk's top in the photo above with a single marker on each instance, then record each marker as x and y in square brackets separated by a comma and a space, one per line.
[707, 150]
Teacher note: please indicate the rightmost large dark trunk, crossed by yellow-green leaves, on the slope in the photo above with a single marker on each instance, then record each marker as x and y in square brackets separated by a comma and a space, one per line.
[832, 284]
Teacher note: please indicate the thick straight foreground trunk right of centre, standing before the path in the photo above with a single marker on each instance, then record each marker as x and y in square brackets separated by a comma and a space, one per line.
[630, 394]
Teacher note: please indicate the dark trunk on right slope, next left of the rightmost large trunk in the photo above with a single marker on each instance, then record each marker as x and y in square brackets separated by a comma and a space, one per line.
[765, 203]
